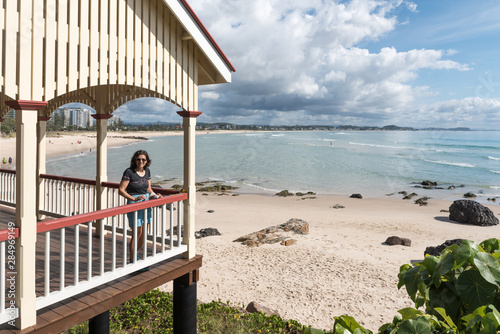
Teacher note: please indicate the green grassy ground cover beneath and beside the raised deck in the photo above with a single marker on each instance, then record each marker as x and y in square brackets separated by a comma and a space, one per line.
[152, 312]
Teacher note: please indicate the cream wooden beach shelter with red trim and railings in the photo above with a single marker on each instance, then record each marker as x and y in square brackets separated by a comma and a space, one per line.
[103, 54]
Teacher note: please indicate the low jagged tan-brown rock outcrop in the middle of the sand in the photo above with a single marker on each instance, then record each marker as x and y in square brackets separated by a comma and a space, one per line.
[270, 235]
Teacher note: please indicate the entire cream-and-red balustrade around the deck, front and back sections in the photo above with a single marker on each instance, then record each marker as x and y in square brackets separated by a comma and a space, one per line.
[85, 248]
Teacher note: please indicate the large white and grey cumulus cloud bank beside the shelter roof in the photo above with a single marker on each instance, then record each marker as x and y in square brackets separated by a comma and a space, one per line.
[298, 60]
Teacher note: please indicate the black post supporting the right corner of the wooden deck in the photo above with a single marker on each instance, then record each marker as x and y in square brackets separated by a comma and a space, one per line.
[185, 313]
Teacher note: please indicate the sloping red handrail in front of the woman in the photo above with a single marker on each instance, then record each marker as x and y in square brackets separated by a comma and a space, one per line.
[102, 214]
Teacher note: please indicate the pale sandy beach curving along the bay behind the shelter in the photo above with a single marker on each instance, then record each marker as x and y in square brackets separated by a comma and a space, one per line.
[341, 267]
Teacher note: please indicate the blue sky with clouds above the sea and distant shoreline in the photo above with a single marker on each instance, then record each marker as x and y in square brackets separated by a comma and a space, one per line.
[361, 62]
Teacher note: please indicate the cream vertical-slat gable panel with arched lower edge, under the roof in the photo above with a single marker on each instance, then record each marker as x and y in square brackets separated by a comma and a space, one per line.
[78, 50]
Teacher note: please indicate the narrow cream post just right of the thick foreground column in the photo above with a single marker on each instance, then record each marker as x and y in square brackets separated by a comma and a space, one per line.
[41, 163]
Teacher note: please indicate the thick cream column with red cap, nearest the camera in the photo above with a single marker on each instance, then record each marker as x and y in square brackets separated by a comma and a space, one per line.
[26, 142]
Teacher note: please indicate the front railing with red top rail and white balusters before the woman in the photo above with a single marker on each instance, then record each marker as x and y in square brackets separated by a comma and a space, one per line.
[86, 261]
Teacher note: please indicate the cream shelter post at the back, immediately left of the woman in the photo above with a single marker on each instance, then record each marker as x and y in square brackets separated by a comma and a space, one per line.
[102, 164]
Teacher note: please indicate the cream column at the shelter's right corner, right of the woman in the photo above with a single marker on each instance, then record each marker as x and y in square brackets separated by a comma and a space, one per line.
[189, 124]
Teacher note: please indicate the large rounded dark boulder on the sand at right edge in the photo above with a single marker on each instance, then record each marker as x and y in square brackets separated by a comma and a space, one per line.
[472, 212]
